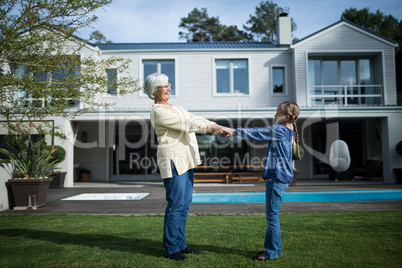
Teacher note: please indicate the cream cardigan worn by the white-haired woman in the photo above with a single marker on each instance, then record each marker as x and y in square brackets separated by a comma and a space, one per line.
[175, 128]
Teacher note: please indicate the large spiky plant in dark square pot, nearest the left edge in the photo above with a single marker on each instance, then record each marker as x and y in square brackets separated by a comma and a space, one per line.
[31, 163]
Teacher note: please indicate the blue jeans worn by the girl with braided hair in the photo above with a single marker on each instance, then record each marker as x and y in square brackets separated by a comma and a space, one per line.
[272, 244]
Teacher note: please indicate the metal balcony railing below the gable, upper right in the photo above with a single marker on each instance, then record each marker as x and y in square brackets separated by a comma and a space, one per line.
[346, 95]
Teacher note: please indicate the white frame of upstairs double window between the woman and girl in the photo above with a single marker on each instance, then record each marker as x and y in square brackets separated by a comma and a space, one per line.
[214, 87]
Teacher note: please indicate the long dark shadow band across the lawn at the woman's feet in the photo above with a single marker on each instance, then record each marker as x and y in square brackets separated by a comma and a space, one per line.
[110, 242]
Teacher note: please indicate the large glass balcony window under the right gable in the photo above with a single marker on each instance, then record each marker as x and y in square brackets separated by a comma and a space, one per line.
[343, 81]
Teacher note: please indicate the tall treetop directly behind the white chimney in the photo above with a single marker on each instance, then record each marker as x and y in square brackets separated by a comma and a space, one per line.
[263, 25]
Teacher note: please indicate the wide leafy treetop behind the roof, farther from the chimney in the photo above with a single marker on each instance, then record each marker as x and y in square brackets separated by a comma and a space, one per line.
[202, 28]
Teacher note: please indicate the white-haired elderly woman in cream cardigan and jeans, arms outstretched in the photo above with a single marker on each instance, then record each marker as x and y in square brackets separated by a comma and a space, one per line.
[177, 156]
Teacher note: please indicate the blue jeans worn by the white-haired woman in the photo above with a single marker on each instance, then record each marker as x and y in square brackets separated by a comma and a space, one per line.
[179, 194]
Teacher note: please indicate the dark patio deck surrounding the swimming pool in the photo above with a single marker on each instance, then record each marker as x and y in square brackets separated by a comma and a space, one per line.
[154, 203]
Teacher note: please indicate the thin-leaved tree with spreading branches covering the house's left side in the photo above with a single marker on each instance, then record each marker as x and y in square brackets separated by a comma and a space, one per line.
[42, 72]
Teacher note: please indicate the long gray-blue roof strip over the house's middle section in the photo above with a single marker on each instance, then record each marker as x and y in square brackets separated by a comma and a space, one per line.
[190, 46]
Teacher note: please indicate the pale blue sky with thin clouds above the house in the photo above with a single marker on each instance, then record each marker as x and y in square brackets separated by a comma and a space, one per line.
[144, 21]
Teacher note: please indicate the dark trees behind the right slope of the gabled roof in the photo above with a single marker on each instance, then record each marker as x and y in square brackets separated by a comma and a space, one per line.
[385, 25]
